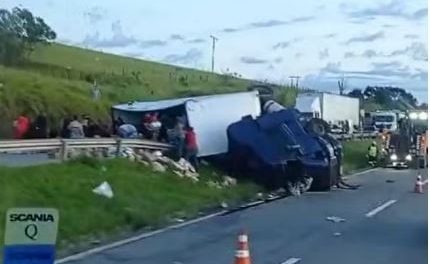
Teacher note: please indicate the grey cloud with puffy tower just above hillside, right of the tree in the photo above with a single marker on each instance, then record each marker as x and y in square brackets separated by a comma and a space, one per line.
[118, 39]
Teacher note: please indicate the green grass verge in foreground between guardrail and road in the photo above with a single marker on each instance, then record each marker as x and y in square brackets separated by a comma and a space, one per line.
[142, 198]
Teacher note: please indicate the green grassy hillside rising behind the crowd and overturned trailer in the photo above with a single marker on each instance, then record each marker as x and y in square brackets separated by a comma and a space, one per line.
[57, 80]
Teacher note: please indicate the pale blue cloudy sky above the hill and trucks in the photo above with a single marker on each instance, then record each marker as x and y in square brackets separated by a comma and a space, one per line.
[367, 42]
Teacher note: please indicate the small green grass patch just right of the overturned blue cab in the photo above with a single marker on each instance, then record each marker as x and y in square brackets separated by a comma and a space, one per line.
[355, 155]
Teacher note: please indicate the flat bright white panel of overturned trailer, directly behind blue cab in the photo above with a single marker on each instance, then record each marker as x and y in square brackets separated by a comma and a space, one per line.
[210, 118]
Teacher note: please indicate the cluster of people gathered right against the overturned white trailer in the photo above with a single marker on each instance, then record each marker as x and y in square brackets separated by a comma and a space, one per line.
[169, 129]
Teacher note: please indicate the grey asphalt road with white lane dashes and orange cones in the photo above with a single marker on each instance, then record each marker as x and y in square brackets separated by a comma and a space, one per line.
[385, 223]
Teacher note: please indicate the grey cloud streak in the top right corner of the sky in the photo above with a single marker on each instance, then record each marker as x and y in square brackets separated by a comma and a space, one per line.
[394, 8]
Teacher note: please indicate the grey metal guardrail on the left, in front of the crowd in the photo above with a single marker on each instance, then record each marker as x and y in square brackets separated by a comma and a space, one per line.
[64, 145]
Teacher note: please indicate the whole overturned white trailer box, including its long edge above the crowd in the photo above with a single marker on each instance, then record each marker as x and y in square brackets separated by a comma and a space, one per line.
[208, 115]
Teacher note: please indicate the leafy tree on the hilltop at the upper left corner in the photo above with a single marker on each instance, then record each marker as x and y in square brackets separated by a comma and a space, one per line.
[20, 31]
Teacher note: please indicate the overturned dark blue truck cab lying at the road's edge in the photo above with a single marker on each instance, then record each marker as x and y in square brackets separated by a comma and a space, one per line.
[281, 149]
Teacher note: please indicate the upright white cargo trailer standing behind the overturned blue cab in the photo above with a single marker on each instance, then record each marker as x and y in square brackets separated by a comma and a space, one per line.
[331, 108]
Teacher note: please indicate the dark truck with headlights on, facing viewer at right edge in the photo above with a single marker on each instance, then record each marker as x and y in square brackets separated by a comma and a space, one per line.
[407, 147]
